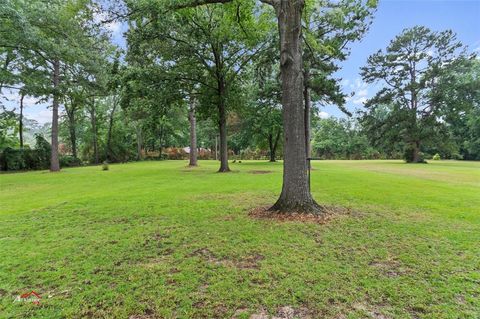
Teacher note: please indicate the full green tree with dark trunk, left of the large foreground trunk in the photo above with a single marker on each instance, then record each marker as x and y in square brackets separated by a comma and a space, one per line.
[207, 45]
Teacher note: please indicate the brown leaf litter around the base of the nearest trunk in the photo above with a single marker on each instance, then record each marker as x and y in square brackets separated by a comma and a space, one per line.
[328, 213]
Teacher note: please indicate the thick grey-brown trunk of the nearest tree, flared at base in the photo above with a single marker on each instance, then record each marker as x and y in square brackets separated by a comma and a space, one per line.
[295, 196]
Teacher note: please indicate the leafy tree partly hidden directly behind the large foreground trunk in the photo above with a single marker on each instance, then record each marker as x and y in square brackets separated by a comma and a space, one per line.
[329, 27]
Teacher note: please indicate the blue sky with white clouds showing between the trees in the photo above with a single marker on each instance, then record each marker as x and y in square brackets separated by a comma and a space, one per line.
[392, 16]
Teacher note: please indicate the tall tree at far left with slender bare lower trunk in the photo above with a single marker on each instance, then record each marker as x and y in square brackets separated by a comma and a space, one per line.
[55, 36]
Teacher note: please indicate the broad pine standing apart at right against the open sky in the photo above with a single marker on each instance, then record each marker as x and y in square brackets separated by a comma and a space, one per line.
[409, 70]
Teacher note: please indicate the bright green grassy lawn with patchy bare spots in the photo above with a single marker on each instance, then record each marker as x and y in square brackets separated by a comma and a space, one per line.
[159, 240]
